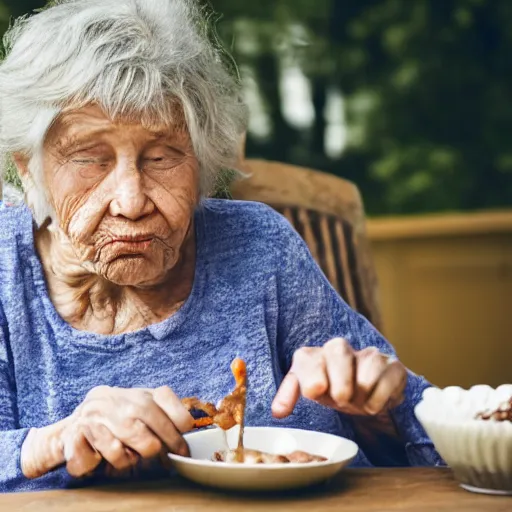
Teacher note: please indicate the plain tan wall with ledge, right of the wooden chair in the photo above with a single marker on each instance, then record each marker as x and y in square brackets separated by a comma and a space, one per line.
[446, 294]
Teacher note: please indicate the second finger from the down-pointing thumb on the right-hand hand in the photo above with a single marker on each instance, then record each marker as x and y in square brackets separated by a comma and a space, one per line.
[340, 363]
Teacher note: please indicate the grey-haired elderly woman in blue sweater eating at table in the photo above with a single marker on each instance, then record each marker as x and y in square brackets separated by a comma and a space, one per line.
[124, 289]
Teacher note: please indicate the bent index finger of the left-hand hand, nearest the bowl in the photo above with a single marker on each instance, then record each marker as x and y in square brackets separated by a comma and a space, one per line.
[174, 421]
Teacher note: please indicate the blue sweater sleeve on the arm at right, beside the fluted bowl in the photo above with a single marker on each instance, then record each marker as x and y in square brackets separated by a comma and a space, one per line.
[311, 313]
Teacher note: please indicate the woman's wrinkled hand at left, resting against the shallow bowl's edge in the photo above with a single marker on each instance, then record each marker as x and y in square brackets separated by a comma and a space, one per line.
[117, 425]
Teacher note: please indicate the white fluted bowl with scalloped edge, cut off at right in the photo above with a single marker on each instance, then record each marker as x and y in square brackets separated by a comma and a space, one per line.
[479, 452]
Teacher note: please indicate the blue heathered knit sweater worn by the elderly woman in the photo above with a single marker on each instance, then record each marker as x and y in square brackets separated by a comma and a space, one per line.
[257, 294]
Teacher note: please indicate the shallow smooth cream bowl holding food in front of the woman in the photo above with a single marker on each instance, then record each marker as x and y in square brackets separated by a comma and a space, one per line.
[262, 477]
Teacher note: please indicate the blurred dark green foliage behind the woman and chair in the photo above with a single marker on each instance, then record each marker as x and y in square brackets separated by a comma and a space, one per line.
[427, 89]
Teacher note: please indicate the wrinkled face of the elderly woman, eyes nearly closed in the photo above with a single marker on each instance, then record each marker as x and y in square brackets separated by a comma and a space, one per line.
[124, 195]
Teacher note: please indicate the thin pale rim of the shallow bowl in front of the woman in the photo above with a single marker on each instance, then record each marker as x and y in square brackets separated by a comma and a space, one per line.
[270, 467]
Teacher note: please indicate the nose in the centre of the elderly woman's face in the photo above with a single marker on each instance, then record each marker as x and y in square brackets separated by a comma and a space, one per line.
[130, 199]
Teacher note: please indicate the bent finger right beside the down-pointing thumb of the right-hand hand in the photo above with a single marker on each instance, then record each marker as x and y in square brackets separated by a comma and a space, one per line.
[309, 367]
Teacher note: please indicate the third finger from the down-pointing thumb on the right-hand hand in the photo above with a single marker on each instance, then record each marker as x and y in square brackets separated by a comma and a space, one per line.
[370, 364]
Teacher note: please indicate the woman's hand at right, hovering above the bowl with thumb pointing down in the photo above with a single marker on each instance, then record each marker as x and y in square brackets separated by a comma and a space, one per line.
[364, 382]
